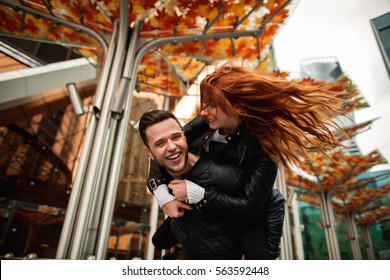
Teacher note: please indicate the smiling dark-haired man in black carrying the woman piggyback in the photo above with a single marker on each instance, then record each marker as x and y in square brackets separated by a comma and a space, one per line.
[201, 236]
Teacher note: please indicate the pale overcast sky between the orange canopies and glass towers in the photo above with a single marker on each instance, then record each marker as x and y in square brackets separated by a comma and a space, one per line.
[342, 29]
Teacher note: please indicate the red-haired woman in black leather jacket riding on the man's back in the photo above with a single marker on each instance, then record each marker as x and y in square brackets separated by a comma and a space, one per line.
[258, 122]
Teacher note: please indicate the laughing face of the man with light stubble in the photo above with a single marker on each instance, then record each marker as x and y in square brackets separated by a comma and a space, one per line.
[168, 146]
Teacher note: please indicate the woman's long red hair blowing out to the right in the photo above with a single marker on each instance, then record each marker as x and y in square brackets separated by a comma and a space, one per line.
[286, 117]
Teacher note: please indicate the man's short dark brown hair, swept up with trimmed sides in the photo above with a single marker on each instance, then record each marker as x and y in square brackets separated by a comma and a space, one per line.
[152, 117]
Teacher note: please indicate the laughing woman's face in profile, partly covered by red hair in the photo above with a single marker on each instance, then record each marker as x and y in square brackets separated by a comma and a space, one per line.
[218, 119]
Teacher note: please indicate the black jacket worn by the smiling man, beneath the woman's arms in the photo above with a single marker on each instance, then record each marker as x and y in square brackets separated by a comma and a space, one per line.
[210, 236]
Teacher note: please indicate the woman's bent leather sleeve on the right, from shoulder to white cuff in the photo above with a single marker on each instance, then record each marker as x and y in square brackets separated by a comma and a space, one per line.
[257, 190]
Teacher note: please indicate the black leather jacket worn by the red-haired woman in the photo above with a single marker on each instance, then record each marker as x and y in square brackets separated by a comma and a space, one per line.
[242, 150]
